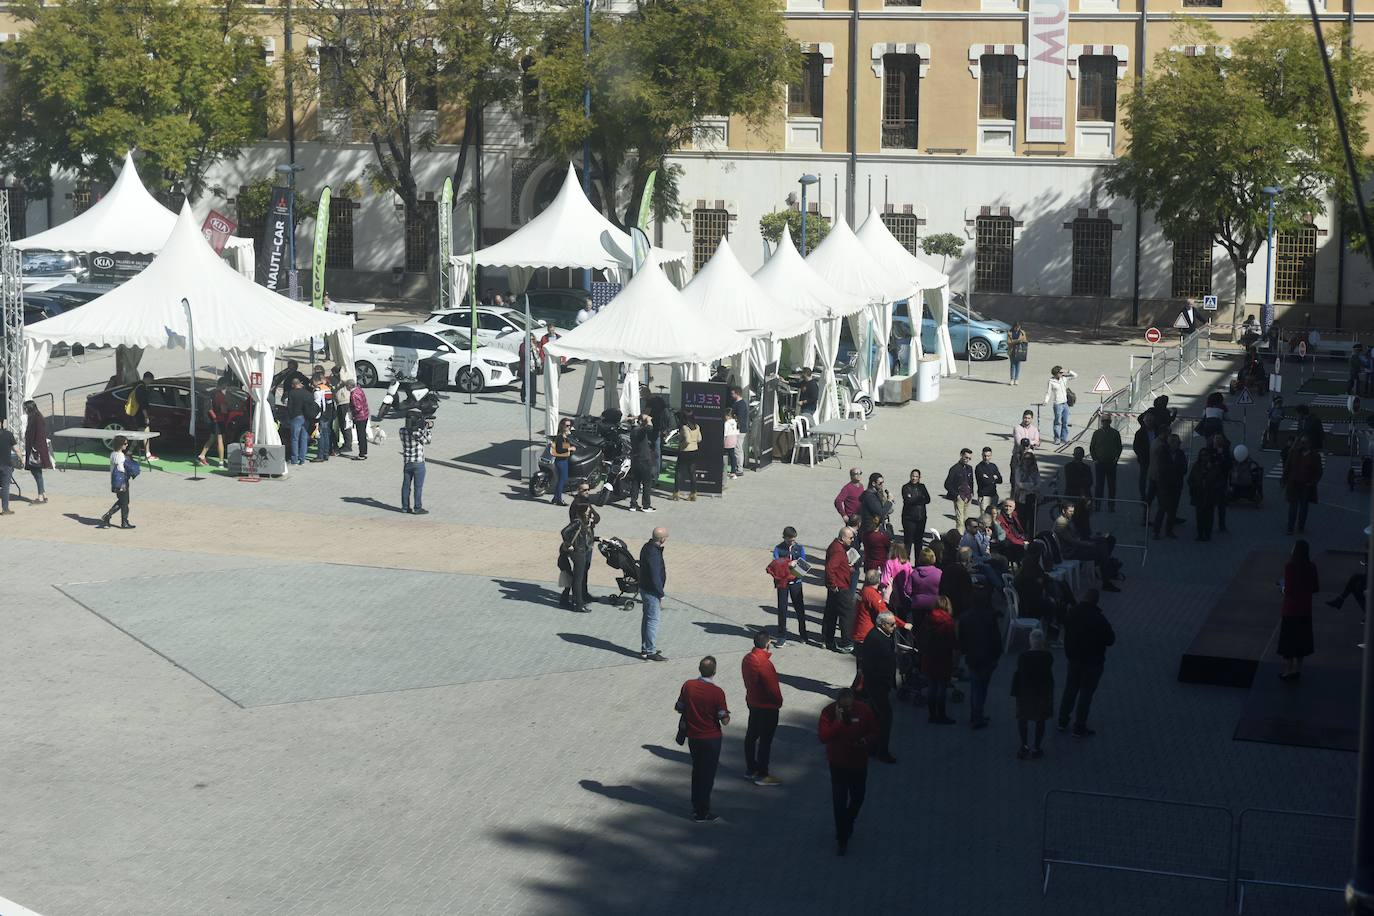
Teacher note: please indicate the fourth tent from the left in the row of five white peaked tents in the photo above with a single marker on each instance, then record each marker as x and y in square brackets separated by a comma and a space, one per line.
[848, 267]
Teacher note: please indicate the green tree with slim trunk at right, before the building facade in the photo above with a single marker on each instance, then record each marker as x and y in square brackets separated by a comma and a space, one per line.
[1208, 134]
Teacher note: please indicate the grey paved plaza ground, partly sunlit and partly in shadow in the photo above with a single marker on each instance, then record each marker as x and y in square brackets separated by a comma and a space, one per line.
[291, 698]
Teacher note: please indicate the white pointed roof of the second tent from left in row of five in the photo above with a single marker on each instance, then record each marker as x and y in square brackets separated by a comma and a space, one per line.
[726, 296]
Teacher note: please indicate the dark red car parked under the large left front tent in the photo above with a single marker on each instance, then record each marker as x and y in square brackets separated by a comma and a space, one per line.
[170, 413]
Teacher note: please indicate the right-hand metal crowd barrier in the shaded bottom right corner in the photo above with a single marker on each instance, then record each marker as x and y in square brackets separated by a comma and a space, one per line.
[1292, 852]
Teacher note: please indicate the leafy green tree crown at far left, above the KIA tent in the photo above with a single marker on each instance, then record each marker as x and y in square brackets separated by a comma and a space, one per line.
[183, 84]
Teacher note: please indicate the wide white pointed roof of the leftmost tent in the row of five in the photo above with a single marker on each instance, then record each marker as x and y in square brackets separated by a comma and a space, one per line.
[648, 322]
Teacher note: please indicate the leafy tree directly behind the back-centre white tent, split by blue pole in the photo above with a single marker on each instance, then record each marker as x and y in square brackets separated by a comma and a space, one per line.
[656, 73]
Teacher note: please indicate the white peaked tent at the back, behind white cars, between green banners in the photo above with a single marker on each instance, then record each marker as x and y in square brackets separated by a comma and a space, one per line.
[570, 234]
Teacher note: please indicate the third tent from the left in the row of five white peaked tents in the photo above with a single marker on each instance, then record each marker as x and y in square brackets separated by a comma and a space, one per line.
[792, 279]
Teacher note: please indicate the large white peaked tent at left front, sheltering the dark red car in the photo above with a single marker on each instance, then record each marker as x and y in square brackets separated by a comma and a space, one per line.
[189, 296]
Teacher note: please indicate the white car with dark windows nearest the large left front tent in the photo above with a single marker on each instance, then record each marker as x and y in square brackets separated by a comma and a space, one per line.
[395, 352]
